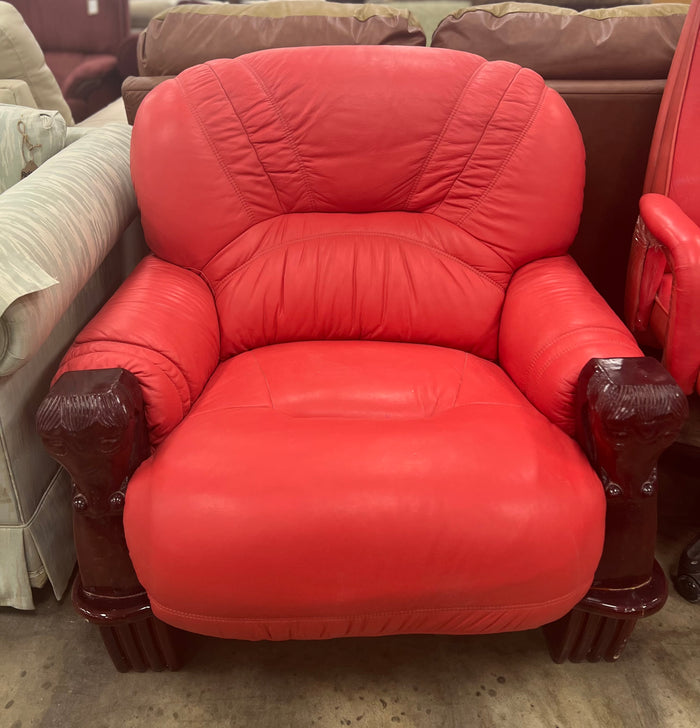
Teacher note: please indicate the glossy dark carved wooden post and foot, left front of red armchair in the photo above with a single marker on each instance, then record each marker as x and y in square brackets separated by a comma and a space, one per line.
[92, 423]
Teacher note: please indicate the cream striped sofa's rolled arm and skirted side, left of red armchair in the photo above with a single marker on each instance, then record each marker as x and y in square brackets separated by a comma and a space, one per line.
[69, 234]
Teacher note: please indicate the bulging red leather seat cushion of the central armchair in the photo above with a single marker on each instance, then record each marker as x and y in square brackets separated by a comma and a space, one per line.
[324, 489]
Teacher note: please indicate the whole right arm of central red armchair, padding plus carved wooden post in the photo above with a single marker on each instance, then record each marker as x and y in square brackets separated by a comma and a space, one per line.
[575, 361]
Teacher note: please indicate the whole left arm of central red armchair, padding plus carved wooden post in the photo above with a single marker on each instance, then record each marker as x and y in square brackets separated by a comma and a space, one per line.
[129, 378]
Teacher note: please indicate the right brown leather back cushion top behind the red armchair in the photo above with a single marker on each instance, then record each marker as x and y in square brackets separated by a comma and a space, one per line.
[627, 42]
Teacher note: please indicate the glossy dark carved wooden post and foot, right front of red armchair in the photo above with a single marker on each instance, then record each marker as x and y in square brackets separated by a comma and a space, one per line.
[628, 412]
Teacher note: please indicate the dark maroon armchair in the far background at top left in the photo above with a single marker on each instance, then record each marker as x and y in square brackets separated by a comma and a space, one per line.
[81, 41]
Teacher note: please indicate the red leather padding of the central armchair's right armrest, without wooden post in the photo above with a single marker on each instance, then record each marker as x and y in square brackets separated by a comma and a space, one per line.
[553, 323]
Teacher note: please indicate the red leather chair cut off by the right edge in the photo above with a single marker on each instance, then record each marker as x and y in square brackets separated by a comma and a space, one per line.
[662, 305]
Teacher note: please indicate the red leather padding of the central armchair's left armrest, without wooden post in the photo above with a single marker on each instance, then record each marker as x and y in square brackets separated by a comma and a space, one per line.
[162, 326]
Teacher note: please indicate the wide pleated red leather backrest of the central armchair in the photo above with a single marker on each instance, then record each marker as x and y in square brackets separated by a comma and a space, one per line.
[357, 192]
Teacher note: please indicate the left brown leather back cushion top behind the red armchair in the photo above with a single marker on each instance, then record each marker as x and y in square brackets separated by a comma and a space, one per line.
[186, 35]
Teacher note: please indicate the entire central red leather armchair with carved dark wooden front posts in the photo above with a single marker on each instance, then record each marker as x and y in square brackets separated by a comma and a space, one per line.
[341, 396]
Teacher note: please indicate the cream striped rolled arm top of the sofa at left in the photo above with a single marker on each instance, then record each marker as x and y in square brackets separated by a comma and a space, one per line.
[56, 227]
